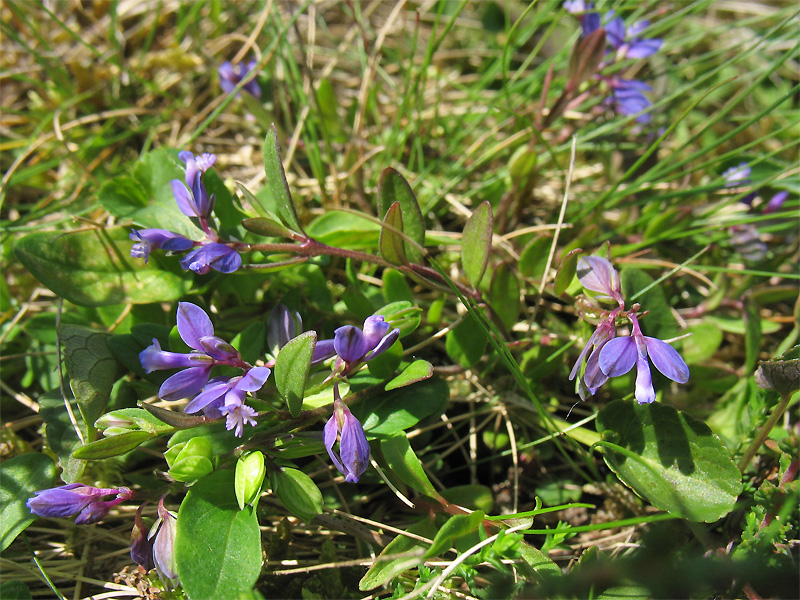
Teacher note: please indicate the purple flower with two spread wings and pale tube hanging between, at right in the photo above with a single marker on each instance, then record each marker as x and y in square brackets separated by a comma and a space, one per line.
[620, 354]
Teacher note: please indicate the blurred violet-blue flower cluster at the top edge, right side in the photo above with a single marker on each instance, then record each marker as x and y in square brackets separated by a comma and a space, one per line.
[627, 95]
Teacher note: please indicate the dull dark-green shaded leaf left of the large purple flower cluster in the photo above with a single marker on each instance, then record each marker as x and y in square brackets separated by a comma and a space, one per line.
[91, 367]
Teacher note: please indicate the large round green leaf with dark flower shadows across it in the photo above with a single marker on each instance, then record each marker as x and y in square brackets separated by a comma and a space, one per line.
[669, 458]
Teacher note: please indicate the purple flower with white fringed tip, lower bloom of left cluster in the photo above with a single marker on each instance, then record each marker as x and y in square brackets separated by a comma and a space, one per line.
[225, 396]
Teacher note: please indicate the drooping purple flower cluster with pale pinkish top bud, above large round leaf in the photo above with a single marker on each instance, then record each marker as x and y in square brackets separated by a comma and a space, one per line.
[607, 355]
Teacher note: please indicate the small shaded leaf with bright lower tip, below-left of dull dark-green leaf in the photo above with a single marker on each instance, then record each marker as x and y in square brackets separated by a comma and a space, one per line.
[60, 433]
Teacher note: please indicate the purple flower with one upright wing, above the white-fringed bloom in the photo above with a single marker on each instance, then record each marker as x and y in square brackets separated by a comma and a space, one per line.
[196, 330]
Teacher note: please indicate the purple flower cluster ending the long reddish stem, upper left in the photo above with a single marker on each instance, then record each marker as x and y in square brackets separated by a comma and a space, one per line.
[193, 201]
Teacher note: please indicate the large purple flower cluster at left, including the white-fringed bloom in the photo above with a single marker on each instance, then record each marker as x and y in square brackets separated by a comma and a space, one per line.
[217, 397]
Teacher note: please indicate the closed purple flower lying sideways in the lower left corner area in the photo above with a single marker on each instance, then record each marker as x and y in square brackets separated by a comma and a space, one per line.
[77, 499]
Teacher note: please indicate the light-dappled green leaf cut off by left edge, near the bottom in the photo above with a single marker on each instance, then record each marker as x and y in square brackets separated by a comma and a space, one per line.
[20, 477]
